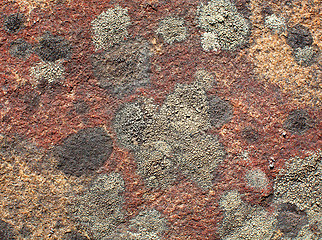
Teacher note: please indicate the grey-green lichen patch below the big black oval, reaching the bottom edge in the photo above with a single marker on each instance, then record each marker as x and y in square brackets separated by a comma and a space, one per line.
[99, 209]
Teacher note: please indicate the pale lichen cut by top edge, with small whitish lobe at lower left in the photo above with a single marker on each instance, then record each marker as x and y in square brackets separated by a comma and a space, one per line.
[221, 18]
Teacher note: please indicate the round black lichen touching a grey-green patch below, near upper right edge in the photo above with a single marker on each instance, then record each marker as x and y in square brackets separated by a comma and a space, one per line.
[299, 37]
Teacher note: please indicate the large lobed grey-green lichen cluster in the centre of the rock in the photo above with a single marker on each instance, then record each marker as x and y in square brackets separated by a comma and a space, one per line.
[171, 139]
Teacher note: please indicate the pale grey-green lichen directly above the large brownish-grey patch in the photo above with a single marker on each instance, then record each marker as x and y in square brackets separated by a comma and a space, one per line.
[110, 27]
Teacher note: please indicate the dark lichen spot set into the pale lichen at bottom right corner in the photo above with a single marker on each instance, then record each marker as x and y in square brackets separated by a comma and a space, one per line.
[290, 220]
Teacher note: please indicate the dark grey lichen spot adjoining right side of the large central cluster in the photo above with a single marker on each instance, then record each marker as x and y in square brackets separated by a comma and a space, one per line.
[220, 111]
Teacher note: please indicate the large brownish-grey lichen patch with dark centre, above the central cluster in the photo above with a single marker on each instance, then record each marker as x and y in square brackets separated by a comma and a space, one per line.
[123, 68]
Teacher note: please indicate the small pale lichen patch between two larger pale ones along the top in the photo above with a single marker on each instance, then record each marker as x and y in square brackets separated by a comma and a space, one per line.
[172, 29]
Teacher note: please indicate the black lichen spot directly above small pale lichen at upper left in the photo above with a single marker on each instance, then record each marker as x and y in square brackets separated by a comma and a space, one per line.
[52, 48]
